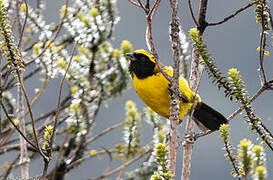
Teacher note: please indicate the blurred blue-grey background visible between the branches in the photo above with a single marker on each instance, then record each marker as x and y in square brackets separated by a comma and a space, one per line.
[232, 44]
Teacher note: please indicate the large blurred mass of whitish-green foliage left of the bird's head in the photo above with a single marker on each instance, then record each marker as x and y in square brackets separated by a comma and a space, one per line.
[98, 71]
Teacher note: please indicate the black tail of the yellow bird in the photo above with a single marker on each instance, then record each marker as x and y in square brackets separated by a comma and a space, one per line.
[210, 118]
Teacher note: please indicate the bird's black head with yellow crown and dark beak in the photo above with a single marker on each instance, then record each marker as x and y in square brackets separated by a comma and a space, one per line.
[141, 64]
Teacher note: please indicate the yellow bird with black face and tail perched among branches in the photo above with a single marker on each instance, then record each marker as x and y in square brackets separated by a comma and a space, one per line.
[152, 87]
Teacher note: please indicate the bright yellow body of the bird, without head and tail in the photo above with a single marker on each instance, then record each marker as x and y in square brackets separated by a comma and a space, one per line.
[153, 91]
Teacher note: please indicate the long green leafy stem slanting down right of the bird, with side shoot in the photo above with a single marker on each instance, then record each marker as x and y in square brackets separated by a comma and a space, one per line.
[233, 85]
